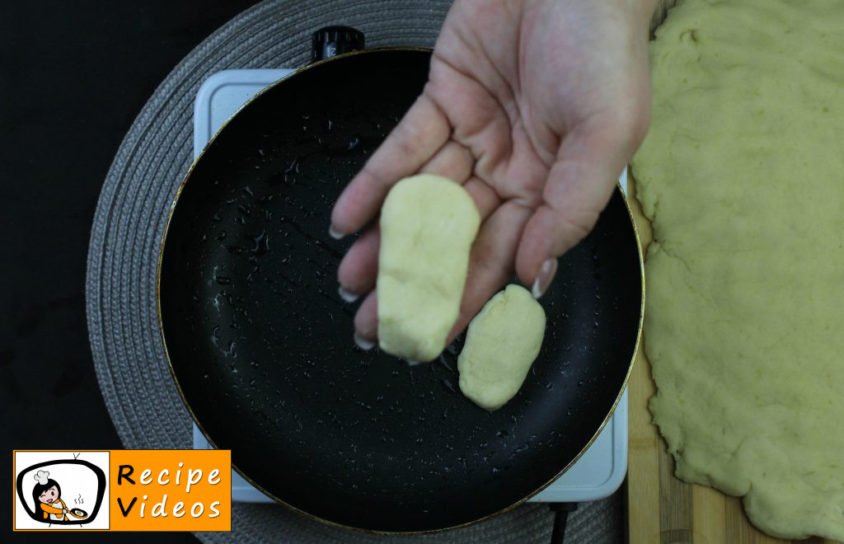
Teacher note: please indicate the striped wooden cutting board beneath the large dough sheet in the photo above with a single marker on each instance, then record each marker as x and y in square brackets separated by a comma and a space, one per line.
[661, 509]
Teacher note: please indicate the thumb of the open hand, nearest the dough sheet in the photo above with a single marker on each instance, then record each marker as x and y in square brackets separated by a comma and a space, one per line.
[579, 185]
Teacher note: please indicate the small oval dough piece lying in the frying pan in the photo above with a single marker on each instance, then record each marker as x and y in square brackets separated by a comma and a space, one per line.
[502, 342]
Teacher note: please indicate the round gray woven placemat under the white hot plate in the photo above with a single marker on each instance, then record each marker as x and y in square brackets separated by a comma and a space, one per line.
[155, 154]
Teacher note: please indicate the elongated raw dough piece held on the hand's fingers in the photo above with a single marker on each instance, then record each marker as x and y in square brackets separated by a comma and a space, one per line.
[428, 224]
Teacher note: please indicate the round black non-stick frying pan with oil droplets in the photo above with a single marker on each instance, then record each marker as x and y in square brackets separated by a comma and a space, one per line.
[261, 344]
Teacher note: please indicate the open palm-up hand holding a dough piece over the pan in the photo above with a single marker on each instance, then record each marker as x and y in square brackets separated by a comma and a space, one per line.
[535, 106]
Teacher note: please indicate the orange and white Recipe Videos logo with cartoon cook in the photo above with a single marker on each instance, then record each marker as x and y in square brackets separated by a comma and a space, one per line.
[122, 490]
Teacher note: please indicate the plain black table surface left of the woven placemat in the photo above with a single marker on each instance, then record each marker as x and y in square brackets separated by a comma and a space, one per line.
[73, 76]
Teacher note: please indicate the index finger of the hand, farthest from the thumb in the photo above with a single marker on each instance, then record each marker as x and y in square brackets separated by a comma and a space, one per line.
[423, 130]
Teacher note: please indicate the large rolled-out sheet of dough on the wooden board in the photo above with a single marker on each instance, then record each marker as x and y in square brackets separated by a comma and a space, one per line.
[742, 176]
